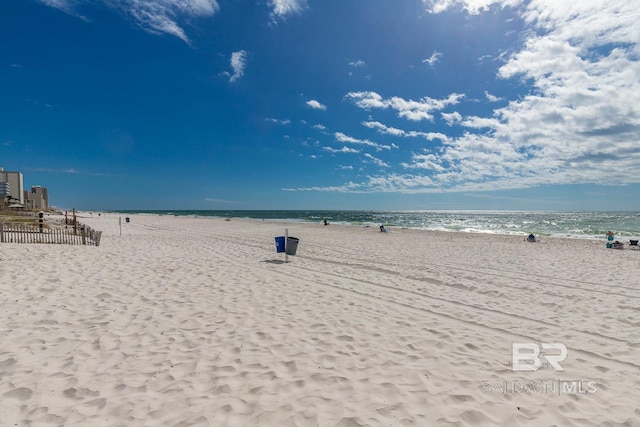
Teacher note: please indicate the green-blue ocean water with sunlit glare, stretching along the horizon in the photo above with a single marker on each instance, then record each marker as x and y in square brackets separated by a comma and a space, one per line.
[589, 225]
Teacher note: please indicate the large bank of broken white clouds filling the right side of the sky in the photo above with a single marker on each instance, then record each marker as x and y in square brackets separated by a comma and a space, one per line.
[579, 121]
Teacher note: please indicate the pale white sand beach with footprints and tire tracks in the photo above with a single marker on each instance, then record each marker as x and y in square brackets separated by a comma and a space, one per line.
[186, 321]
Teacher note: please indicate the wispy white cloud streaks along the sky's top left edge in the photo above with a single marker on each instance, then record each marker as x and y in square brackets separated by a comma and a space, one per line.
[155, 16]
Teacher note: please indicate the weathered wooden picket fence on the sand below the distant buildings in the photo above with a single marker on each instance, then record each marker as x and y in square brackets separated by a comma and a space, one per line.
[22, 233]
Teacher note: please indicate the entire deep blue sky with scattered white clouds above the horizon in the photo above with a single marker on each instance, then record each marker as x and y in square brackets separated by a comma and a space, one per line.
[323, 104]
